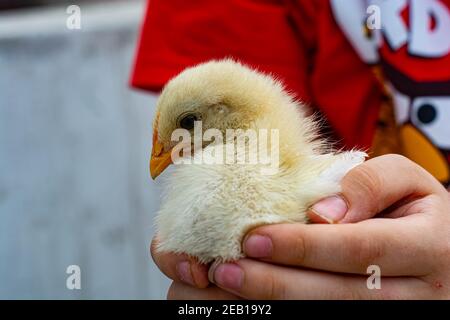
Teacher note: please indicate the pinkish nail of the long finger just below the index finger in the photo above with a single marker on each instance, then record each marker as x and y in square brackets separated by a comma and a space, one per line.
[227, 275]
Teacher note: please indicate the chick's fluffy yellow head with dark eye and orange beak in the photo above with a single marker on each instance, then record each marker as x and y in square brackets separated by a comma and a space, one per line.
[222, 95]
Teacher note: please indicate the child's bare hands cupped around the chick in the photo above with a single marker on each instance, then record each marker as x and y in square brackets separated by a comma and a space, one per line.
[398, 218]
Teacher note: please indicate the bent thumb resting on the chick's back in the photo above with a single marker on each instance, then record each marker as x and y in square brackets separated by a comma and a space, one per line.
[374, 186]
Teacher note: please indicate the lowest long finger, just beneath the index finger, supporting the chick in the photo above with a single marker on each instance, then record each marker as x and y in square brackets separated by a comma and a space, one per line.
[252, 279]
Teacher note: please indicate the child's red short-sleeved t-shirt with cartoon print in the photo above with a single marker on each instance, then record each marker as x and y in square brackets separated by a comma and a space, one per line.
[354, 62]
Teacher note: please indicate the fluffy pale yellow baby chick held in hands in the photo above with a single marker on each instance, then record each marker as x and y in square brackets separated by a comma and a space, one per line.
[208, 208]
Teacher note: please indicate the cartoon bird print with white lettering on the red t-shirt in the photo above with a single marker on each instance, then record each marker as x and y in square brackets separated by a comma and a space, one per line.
[410, 55]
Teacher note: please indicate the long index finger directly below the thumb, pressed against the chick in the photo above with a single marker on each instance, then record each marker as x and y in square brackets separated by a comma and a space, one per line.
[392, 244]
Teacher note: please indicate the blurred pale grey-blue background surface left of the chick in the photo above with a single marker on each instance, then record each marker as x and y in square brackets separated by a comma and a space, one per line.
[74, 149]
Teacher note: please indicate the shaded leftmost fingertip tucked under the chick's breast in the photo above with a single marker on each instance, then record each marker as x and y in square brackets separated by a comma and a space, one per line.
[180, 267]
